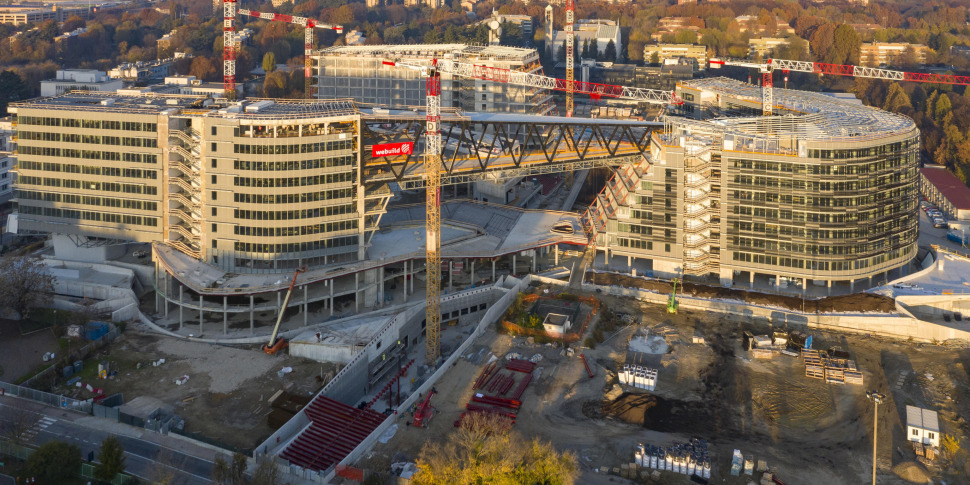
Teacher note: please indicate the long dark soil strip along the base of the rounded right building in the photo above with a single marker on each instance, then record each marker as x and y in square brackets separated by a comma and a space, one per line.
[854, 303]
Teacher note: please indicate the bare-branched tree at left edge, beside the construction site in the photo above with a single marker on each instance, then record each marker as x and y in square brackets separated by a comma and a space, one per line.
[24, 283]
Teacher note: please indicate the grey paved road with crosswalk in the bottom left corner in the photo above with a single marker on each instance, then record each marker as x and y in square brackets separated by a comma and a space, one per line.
[145, 455]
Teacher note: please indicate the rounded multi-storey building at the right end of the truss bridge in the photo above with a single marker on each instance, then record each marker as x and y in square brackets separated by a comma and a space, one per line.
[825, 194]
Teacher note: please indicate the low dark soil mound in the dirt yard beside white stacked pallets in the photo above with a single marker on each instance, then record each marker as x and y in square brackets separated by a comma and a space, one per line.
[657, 413]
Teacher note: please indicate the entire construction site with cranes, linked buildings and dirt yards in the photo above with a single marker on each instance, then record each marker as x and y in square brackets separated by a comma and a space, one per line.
[677, 299]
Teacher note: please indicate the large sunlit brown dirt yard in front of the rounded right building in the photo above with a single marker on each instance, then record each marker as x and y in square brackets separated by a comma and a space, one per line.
[808, 431]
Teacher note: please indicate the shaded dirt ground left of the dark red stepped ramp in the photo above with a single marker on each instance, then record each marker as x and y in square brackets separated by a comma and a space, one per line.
[225, 398]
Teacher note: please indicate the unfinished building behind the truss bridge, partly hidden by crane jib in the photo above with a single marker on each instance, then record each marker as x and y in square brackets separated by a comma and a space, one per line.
[357, 72]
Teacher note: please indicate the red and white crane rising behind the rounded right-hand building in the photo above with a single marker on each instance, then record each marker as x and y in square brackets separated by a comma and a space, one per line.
[770, 65]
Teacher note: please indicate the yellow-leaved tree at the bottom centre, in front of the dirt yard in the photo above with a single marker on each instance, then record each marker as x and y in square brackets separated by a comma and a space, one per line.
[486, 450]
